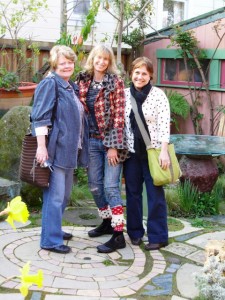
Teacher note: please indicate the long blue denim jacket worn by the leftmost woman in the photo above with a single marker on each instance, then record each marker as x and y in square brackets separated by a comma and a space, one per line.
[64, 124]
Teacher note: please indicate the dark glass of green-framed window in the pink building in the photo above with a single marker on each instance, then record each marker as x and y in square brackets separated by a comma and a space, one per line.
[174, 72]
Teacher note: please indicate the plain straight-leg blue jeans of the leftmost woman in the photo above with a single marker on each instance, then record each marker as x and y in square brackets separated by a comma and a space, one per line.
[55, 200]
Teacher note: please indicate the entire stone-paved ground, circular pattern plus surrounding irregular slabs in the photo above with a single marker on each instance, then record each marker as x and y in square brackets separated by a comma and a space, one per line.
[86, 274]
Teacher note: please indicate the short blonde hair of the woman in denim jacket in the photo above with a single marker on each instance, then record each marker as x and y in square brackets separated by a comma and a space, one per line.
[59, 50]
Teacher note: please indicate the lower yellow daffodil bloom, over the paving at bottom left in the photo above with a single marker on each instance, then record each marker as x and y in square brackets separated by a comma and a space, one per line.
[27, 279]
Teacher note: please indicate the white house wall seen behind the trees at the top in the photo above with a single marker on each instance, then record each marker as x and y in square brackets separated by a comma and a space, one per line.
[47, 28]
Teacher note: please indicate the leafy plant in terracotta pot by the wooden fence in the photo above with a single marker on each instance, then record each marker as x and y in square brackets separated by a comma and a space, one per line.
[17, 54]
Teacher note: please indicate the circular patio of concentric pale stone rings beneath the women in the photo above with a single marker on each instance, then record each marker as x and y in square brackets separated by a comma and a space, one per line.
[81, 272]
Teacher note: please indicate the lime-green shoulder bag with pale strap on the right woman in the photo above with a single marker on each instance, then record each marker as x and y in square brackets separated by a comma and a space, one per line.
[159, 176]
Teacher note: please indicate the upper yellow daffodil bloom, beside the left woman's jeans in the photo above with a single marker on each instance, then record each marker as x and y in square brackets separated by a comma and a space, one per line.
[17, 211]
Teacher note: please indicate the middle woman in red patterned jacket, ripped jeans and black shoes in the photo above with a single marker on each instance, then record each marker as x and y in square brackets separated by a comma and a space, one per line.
[102, 93]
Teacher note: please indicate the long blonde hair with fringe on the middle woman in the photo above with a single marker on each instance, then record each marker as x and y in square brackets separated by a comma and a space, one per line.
[101, 49]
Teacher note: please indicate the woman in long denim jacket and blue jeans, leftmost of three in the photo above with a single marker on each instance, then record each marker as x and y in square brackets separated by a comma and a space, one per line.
[58, 113]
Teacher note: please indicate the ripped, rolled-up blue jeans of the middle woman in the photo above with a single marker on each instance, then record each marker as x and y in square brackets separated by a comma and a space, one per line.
[103, 180]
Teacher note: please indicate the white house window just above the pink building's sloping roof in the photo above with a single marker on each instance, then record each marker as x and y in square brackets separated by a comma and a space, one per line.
[173, 12]
